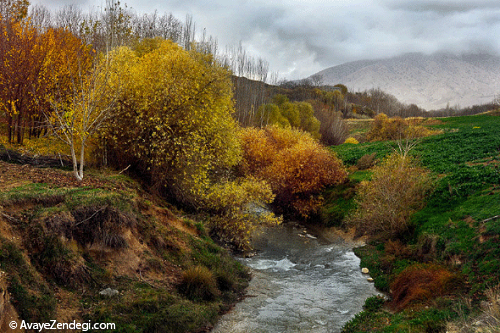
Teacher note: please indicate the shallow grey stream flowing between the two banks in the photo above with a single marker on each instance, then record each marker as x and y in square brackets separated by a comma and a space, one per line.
[300, 283]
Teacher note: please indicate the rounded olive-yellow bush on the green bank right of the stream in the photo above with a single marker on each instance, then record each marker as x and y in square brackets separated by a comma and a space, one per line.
[397, 190]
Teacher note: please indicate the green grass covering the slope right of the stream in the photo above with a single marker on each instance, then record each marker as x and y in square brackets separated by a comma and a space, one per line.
[455, 229]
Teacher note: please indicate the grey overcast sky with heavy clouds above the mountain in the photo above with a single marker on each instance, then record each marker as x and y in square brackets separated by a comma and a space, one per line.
[301, 37]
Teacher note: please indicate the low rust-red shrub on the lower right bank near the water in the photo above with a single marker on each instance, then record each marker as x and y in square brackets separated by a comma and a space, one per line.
[419, 283]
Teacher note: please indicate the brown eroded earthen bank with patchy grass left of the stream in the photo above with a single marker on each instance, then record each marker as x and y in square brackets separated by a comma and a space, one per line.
[106, 251]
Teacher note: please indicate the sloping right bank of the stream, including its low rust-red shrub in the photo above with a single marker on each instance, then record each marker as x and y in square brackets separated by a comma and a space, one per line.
[443, 273]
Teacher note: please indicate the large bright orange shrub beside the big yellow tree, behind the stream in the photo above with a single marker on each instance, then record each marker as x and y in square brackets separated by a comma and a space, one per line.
[294, 164]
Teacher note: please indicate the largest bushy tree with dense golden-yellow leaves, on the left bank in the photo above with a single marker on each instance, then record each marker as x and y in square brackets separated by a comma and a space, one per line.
[173, 117]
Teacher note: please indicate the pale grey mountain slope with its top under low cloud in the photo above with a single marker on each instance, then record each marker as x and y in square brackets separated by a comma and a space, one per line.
[429, 81]
